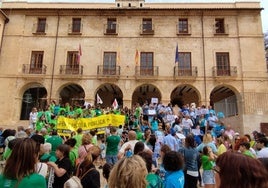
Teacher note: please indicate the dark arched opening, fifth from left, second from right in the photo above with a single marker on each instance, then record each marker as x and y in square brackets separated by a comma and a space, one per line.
[184, 94]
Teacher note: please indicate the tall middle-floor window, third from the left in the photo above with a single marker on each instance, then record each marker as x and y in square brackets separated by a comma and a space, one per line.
[109, 63]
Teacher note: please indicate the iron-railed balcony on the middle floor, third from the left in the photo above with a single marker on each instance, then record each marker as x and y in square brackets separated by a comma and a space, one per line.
[105, 72]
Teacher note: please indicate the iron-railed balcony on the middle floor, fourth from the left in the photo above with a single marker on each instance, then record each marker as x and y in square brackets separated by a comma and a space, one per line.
[146, 72]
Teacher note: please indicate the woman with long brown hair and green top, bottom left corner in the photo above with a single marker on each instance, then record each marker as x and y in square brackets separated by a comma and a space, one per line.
[19, 170]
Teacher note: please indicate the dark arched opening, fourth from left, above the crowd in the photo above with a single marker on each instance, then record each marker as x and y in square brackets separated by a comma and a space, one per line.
[144, 93]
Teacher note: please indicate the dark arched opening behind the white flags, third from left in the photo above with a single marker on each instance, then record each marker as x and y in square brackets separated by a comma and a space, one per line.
[108, 92]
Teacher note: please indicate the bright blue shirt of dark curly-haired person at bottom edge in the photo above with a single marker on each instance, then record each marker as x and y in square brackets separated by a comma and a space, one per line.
[174, 179]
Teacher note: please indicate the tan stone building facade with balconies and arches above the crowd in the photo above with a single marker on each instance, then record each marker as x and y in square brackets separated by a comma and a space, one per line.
[183, 53]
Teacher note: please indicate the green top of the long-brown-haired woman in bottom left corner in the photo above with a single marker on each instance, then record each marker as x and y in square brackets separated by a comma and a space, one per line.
[32, 181]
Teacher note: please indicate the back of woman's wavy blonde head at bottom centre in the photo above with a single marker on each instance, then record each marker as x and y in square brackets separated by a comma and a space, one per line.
[128, 172]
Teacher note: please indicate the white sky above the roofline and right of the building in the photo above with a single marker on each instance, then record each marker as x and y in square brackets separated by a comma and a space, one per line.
[264, 4]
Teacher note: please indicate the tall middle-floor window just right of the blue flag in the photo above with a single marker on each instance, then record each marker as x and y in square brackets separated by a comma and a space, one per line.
[185, 64]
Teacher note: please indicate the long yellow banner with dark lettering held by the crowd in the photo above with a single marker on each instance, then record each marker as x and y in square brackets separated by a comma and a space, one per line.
[66, 125]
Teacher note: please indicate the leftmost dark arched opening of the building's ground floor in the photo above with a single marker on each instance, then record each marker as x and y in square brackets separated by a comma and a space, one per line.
[34, 96]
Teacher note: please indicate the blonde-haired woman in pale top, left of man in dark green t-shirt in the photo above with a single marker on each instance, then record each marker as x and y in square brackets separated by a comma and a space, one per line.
[84, 148]
